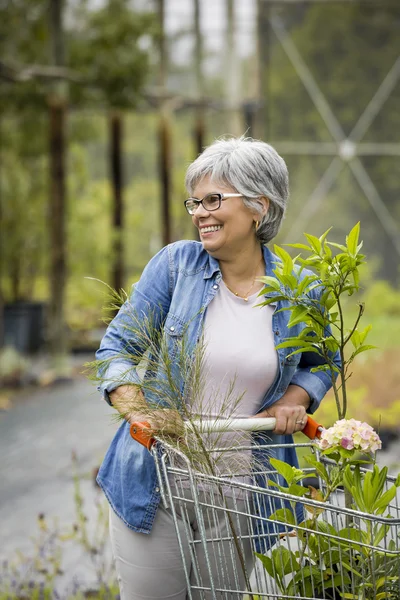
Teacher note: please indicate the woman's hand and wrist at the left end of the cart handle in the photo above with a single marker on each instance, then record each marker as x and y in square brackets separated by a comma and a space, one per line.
[131, 404]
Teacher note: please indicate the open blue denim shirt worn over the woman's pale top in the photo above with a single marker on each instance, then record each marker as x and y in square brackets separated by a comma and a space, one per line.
[176, 286]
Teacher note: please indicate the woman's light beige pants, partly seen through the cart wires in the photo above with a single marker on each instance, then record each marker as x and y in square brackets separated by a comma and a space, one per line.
[149, 566]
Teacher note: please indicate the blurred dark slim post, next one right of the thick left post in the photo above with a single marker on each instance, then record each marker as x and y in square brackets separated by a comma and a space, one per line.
[116, 137]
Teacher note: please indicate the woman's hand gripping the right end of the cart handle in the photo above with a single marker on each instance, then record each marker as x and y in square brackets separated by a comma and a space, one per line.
[289, 411]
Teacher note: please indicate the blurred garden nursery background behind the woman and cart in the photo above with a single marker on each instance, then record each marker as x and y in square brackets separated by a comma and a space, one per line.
[103, 105]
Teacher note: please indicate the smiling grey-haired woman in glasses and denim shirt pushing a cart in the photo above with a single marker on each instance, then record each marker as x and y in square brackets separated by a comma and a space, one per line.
[238, 192]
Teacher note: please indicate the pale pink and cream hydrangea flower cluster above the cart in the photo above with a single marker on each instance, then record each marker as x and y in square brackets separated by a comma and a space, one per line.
[351, 435]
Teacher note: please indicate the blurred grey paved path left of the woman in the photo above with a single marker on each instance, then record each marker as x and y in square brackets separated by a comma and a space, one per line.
[37, 438]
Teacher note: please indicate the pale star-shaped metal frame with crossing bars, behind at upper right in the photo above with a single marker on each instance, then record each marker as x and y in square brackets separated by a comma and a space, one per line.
[343, 149]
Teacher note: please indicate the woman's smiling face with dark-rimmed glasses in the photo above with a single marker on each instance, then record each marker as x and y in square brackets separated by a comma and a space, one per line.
[228, 230]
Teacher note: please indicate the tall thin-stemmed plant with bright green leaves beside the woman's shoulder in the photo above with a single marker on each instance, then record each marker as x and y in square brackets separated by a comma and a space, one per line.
[315, 301]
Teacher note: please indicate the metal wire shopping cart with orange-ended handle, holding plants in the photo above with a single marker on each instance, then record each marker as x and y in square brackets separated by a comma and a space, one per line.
[309, 548]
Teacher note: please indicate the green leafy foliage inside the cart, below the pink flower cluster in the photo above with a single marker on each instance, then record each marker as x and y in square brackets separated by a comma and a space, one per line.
[358, 560]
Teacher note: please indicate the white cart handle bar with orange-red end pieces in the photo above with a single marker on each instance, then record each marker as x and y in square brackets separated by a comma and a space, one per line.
[144, 434]
